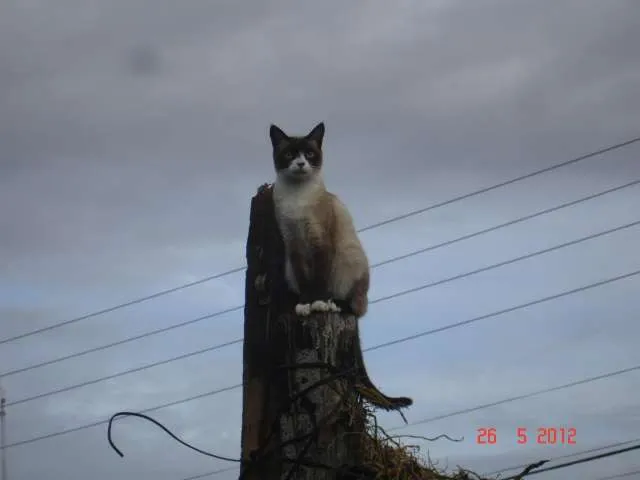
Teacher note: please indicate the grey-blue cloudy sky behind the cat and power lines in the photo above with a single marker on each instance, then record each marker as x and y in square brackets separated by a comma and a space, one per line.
[133, 134]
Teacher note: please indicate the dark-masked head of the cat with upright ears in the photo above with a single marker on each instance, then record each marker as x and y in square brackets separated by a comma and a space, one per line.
[297, 159]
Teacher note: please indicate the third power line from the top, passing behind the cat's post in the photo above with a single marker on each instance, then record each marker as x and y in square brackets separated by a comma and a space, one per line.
[379, 300]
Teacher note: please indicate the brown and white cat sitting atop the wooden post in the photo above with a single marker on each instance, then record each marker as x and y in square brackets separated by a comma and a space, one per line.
[325, 262]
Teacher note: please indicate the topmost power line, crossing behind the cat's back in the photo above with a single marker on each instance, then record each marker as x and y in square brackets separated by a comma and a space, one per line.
[369, 227]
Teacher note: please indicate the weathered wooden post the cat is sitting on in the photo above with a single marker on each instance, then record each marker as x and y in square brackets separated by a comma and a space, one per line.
[330, 417]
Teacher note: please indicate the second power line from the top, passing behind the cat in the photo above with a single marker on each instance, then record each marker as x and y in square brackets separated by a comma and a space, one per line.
[384, 262]
